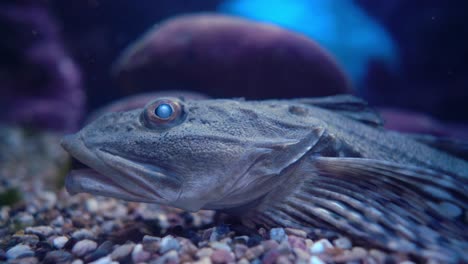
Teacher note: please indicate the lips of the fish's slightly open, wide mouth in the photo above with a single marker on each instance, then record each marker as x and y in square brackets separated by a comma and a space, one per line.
[102, 179]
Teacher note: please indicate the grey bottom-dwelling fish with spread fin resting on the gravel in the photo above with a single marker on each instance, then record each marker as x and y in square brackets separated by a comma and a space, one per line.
[324, 165]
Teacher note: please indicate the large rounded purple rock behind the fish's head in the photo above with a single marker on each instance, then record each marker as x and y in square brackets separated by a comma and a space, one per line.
[229, 57]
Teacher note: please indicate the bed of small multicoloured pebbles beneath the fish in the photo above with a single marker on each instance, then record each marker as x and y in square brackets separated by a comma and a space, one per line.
[58, 228]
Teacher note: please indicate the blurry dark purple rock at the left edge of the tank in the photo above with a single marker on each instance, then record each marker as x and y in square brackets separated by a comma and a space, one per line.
[40, 84]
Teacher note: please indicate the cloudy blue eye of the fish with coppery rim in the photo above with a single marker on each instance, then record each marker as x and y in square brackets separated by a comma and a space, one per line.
[163, 112]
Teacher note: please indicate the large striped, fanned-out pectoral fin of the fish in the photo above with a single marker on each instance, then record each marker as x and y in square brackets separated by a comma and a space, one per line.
[402, 208]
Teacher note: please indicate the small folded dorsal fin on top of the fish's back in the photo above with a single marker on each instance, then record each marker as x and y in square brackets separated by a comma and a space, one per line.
[347, 105]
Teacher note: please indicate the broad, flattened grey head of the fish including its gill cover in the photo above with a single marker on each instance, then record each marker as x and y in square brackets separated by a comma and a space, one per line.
[196, 154]
